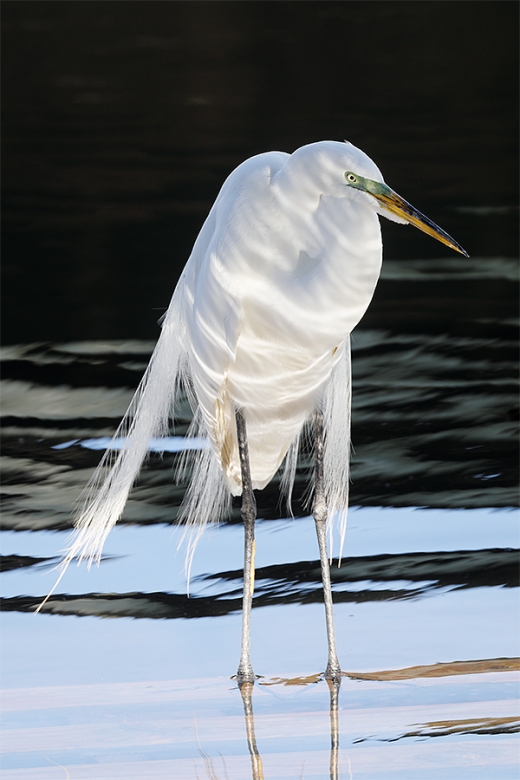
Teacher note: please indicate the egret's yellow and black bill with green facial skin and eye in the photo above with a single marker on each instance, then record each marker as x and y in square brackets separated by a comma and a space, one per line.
[391, 205]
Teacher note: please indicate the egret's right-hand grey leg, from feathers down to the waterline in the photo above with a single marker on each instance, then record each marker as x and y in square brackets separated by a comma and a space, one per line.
[319, 509]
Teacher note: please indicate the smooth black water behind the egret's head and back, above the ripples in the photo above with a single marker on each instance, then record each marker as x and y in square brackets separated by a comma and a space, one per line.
[121, 121]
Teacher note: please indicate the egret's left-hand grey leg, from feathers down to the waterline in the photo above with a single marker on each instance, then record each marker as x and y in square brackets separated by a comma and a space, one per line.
[245, 672]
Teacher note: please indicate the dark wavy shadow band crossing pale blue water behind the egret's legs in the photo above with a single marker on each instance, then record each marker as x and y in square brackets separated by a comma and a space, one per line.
[363, 579]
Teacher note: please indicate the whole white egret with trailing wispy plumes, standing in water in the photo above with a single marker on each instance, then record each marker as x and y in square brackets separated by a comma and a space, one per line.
[257, 335]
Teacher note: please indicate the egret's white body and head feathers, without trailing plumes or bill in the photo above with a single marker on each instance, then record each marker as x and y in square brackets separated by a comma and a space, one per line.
[271, 291]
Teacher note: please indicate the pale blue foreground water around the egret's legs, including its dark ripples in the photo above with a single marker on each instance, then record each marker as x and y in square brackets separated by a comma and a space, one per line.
[151, 696]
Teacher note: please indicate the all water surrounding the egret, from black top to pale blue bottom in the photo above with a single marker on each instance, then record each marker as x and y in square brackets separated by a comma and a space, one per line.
[120, 122]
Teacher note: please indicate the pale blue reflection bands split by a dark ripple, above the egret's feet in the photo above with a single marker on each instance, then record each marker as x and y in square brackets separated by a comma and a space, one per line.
[439, 627]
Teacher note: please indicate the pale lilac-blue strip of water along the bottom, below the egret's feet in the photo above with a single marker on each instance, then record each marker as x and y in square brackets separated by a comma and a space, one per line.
[451, 726]
